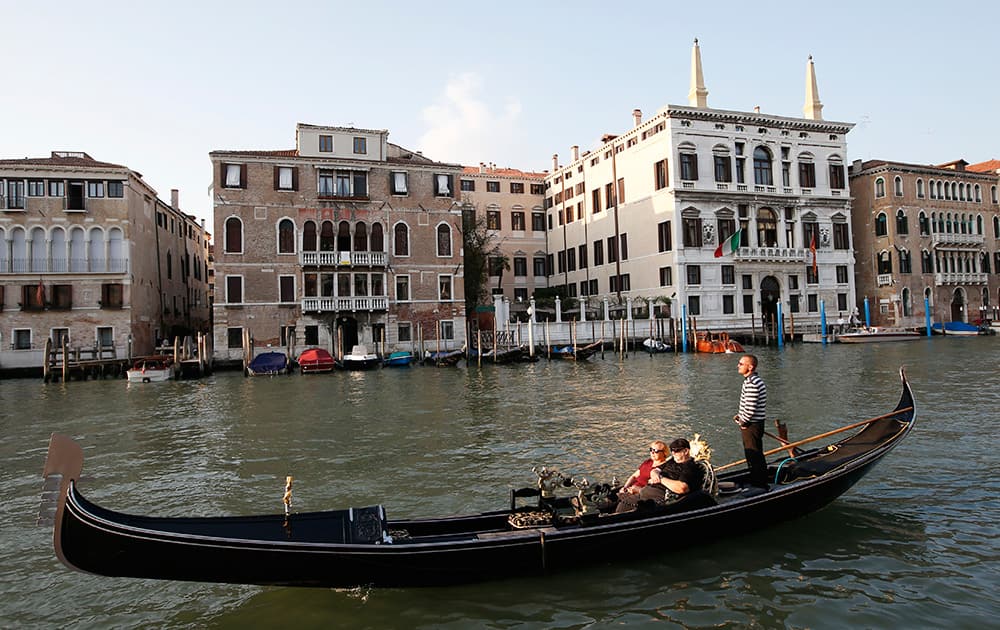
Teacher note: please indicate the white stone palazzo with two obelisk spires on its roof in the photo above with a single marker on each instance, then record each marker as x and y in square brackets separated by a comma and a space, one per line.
[640, 217]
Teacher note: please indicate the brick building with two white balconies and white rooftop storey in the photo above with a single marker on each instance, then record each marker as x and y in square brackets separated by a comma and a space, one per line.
[345, 239]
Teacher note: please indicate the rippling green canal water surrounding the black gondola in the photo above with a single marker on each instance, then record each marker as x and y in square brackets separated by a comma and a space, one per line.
[913, 545]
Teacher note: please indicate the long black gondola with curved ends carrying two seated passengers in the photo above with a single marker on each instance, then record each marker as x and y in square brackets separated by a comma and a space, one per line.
[360, 546]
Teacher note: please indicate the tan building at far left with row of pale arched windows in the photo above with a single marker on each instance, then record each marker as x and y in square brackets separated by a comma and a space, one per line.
[92, 256]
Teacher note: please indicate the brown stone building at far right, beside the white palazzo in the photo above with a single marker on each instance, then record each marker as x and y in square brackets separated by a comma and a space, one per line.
[926, 234]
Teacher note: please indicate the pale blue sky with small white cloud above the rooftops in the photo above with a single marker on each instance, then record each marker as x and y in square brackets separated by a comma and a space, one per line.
[158, 85]
